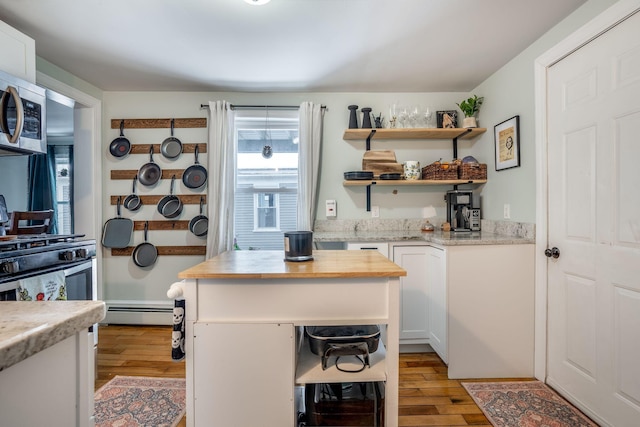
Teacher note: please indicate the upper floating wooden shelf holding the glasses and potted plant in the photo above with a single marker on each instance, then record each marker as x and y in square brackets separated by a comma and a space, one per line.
[413, 133]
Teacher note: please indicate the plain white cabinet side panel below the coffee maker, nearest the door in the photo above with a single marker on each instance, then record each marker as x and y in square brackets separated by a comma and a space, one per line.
[490, 311]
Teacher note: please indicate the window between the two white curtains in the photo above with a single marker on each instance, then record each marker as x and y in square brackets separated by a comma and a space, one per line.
[266, 177]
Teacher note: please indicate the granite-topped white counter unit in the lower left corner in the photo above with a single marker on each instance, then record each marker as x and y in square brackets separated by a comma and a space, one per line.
[47, 362]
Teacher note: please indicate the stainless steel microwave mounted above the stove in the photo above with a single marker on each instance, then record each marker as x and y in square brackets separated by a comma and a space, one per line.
[22, 117]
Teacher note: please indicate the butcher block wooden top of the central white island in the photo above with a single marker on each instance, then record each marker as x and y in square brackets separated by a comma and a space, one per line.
[271, 265]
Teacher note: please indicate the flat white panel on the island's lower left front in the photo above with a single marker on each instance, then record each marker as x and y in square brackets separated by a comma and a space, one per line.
[255, 364]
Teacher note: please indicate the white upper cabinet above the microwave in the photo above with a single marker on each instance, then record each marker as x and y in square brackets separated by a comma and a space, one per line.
[18, 53]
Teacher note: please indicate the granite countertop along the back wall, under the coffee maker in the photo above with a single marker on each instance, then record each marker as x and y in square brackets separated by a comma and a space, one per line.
[437, 237]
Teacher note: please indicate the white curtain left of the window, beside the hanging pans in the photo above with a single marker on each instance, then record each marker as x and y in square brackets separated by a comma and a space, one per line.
[221, 185]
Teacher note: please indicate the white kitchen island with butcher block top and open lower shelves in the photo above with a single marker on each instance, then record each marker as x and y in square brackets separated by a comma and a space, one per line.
[247, 359]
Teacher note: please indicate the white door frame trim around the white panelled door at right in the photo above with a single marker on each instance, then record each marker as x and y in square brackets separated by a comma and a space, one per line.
[593, 29]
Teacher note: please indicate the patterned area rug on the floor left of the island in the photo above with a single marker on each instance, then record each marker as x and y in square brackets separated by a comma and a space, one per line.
[140, 401]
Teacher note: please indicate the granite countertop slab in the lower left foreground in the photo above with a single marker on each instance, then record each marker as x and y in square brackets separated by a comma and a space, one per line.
[28, 327]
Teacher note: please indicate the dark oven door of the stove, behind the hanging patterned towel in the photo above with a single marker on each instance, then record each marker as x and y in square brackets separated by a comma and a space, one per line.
[80, 279]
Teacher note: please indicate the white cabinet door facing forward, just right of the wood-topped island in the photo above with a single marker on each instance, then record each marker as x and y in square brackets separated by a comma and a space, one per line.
[414, 297]
